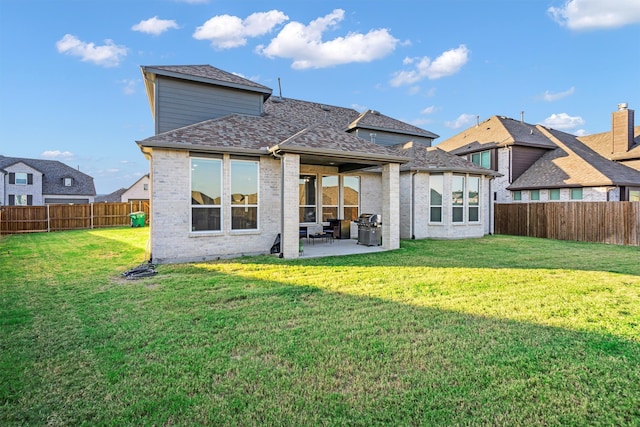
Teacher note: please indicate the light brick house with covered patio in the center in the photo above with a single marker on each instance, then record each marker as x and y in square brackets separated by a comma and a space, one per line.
[232, 167]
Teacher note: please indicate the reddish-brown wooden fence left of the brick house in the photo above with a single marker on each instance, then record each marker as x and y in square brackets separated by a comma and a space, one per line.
[32, 219]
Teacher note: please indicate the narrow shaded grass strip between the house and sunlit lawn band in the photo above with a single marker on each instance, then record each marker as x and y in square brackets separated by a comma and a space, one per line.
[490, 252]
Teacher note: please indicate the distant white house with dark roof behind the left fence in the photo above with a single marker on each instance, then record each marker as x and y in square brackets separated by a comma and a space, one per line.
[35, 182]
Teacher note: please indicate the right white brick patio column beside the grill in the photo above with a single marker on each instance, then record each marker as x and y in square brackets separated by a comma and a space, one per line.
[391, 206]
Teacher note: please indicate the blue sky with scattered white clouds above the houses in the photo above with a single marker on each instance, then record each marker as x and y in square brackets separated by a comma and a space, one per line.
[71, 88]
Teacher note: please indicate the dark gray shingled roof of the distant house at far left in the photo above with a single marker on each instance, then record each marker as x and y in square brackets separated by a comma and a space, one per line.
[53, 173]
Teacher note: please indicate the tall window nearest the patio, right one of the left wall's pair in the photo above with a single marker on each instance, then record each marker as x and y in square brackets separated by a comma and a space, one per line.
[244, 195]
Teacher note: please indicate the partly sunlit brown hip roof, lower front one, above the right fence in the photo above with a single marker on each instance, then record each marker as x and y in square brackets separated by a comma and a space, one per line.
[573, 164]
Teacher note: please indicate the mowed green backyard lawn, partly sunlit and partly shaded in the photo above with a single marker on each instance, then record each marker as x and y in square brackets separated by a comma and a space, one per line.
[494, 331]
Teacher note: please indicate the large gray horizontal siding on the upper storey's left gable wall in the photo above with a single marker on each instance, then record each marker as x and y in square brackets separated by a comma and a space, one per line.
[182, 103]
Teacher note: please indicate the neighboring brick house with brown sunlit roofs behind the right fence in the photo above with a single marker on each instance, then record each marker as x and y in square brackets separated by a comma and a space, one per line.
[542, 164]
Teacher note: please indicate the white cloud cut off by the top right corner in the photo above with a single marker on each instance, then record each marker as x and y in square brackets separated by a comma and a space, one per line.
[596, 14]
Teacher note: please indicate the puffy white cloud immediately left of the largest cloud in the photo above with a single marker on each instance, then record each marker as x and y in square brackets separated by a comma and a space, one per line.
[226, 31]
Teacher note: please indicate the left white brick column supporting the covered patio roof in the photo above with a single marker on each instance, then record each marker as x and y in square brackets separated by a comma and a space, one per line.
[290, 205]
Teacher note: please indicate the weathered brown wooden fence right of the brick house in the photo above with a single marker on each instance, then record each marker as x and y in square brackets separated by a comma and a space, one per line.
[600, 222]
